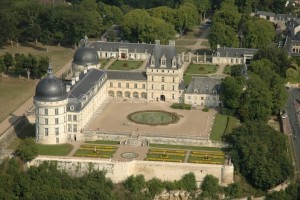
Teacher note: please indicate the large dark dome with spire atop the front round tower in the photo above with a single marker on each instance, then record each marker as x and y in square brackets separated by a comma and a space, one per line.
[50, 89]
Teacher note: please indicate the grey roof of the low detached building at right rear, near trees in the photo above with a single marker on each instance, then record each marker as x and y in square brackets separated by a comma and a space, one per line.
[234, 52]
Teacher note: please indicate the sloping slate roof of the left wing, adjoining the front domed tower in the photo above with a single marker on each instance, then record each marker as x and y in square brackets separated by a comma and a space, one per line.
[83, 87]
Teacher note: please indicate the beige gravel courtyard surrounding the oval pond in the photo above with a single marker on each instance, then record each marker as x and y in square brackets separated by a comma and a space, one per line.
[113, 118]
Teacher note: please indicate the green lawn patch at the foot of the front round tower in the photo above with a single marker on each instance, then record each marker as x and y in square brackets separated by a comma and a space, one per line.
[55, 150]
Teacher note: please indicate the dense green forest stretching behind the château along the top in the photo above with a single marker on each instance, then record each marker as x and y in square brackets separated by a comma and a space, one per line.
[144, 21]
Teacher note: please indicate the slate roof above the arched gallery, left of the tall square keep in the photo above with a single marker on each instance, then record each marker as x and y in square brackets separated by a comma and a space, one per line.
[126, 75]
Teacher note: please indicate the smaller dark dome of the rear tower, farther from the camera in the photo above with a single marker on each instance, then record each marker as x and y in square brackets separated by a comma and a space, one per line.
[86, 56]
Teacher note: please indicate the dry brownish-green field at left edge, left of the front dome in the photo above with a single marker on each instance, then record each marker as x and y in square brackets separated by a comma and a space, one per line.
[13, 93]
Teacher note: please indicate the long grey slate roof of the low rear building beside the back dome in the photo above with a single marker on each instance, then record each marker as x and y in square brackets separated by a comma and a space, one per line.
[115, 46]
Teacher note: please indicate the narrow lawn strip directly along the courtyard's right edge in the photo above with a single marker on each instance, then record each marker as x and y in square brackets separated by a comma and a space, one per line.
[219, 127]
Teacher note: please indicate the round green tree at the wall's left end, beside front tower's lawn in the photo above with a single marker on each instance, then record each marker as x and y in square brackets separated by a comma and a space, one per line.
[27, 150]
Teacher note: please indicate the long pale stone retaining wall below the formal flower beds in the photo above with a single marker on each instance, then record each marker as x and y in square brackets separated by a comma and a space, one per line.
[118, 171]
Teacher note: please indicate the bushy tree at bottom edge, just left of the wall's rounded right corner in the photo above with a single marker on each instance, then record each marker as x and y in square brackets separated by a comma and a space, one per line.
[210, 187]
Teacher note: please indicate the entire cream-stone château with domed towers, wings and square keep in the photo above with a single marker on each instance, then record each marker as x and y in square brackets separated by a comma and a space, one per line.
[64, 107]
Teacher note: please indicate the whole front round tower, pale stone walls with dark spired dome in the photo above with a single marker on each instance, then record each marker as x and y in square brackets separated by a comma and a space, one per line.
[50, 102]
